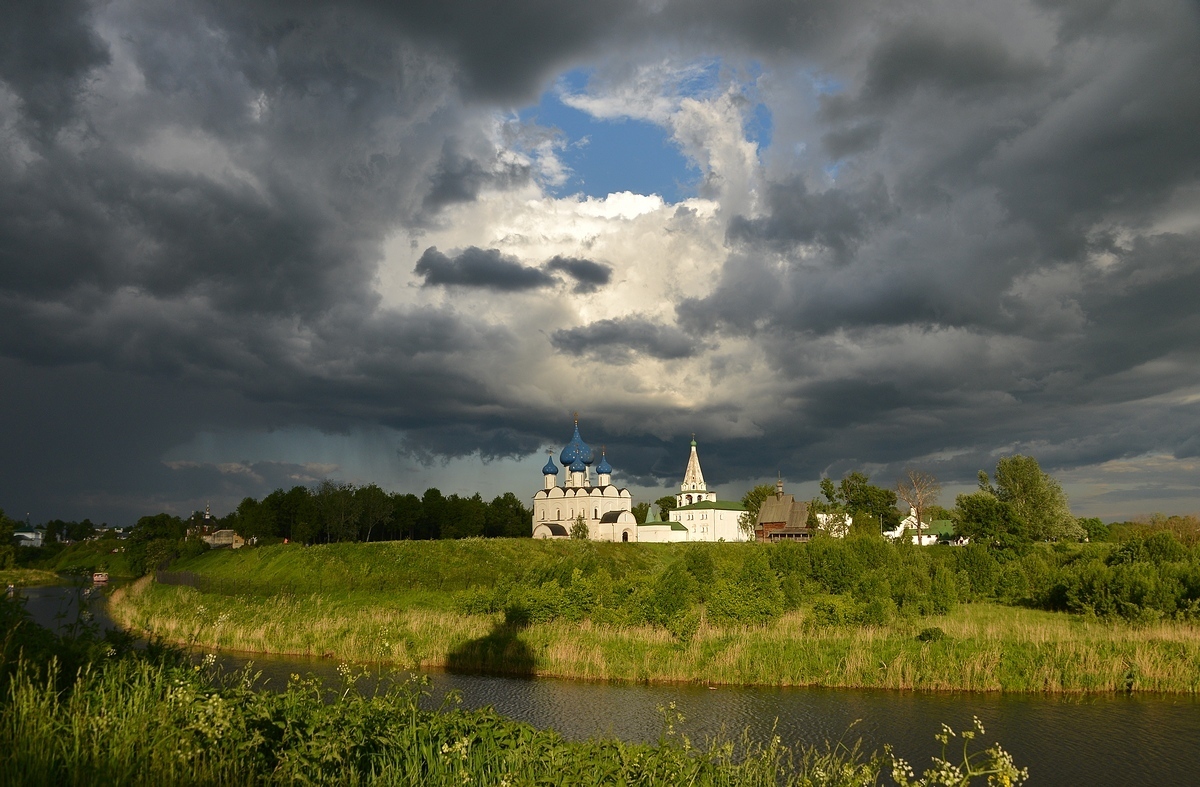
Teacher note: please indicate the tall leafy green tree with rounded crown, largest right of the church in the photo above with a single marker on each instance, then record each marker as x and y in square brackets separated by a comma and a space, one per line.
[1037, 498]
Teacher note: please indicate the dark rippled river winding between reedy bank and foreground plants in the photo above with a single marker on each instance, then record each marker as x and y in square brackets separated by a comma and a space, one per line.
[1095, 740]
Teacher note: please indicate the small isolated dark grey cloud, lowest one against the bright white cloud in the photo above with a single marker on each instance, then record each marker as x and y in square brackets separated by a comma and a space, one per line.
[616, 341]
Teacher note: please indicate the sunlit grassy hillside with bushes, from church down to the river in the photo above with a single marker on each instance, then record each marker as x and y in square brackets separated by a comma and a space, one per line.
[545, 609]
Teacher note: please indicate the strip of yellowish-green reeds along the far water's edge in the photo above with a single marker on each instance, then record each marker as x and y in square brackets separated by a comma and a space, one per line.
[982, 647]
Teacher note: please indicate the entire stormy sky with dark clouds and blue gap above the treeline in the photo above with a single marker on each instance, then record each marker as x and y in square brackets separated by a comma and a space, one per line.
[248, 245]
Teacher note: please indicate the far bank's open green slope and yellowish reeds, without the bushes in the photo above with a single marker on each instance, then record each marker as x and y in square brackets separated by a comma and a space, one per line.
[397, 604]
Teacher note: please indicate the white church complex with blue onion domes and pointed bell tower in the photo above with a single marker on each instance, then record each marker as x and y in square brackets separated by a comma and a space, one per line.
[608, 510]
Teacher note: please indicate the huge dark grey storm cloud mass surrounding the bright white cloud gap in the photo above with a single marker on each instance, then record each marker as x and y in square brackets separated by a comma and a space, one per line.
[195, 199]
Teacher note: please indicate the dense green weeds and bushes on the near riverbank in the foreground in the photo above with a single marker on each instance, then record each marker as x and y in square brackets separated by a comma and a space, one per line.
[149, 718]
